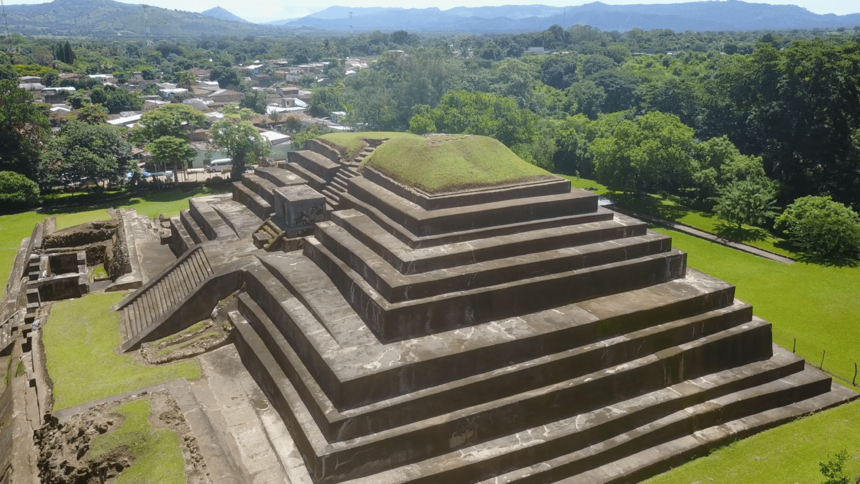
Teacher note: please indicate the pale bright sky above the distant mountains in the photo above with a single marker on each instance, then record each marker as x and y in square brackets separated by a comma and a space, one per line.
[266, 11]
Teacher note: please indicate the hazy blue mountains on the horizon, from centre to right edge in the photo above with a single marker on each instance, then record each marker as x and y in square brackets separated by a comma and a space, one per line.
[726, 15]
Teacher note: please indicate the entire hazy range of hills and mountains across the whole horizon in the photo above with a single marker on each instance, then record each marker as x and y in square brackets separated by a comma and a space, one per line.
[107, 18]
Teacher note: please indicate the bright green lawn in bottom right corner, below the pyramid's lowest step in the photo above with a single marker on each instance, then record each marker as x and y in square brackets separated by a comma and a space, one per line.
[787, 454]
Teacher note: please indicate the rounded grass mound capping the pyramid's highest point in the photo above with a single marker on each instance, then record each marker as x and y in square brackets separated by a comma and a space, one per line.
[440, 164]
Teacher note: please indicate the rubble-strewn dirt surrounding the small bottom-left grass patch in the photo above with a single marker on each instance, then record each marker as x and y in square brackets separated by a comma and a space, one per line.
[64, 447]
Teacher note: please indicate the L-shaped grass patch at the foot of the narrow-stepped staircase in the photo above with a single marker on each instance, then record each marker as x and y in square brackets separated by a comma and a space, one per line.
[80, 338]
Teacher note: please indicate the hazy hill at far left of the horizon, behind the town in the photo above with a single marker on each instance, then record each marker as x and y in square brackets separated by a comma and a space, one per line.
[107, 18]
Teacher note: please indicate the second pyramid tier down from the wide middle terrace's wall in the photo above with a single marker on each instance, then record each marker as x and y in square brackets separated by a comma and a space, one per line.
[433, 437]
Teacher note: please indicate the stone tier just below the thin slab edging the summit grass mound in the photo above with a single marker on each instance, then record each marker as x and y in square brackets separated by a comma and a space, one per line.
[421, 222]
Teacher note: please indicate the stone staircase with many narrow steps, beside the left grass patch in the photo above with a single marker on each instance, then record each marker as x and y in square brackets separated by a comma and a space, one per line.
[150, 304]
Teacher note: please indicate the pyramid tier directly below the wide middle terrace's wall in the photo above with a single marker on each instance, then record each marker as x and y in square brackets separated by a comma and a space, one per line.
[482, 388]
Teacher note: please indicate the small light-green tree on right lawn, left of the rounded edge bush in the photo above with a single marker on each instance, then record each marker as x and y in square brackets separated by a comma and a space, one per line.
[748, 202]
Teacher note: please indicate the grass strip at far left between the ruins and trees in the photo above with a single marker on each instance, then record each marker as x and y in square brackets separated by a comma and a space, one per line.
[15, 227]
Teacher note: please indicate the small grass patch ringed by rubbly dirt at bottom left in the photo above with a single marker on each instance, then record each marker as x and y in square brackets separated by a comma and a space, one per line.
[156, 452]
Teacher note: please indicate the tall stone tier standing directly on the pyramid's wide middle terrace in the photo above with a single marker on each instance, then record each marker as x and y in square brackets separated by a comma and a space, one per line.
[395, 321]
